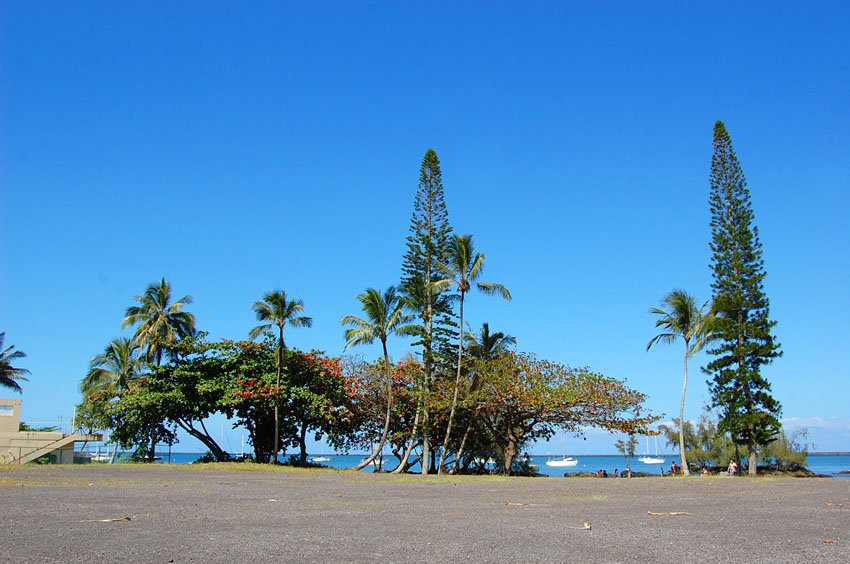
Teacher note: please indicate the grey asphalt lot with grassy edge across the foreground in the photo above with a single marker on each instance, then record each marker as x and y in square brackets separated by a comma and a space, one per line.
[244, 513]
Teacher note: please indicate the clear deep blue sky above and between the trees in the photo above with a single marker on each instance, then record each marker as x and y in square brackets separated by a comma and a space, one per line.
[235, 150]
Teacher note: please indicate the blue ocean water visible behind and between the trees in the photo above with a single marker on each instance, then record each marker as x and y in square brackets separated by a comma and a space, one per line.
[829, 465]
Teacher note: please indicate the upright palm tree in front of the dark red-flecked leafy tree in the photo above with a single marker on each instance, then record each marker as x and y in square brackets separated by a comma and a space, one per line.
[277, 309]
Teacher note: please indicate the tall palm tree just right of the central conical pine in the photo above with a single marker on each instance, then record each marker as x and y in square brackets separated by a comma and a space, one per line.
[465, 267]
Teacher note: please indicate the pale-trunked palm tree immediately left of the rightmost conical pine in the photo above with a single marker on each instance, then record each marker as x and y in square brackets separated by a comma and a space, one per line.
[679, 316]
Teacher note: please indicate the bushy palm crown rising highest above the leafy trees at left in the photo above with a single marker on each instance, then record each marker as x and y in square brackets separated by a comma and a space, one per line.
[160, 323]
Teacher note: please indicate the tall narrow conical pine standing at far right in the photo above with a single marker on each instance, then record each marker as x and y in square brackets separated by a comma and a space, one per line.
[743, 339]
